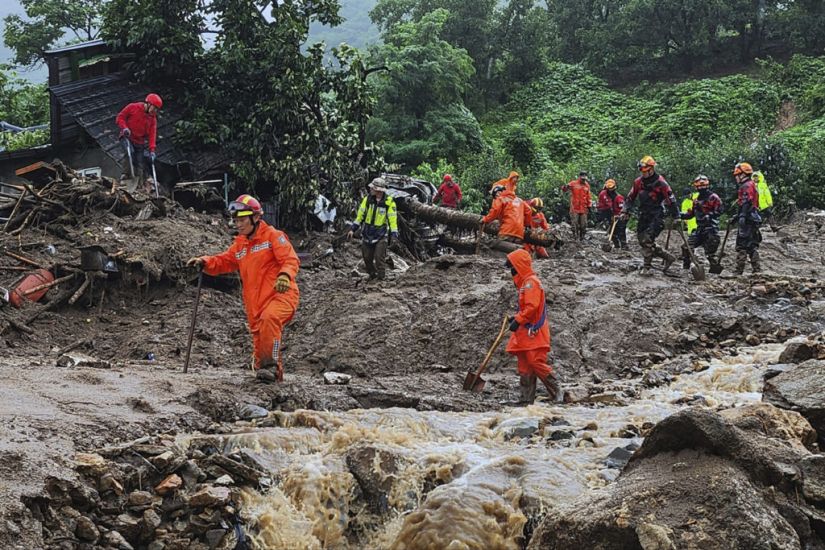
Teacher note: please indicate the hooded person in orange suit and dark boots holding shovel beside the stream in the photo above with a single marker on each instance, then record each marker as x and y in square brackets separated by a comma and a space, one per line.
[530, 338]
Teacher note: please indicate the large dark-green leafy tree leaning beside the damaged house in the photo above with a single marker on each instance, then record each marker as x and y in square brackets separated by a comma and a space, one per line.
[293, 123]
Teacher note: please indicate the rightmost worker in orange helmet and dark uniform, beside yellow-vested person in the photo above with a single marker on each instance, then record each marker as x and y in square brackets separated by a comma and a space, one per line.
[748, 219]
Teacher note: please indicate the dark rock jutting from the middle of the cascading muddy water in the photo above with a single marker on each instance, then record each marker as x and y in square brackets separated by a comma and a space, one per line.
[375, 471]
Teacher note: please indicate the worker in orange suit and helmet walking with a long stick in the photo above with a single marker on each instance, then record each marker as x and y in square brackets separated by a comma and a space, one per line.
[268, 266]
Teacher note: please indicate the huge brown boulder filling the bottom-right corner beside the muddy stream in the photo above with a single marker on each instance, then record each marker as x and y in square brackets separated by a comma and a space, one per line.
[700, 481]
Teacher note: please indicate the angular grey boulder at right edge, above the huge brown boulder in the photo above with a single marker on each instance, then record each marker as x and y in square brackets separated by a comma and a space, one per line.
[801, 389]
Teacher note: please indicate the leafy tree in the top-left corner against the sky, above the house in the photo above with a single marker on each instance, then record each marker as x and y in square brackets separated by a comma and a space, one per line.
[49, 22]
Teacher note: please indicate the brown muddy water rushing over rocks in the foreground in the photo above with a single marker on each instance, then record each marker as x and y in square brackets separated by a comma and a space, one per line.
[451, 480]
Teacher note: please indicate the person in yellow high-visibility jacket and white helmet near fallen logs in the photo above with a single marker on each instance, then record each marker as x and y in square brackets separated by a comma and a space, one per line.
[377, 213]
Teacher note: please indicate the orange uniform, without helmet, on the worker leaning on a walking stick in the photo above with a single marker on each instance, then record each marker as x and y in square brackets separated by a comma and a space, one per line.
[260, 258]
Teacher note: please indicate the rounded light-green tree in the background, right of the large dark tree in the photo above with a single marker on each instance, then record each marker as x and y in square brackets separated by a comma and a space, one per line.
[421, 114]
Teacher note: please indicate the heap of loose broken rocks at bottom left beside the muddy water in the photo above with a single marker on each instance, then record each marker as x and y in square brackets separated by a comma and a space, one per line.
[149, 494]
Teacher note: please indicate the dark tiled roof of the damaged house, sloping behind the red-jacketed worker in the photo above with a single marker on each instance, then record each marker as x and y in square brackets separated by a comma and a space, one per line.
[95, 102]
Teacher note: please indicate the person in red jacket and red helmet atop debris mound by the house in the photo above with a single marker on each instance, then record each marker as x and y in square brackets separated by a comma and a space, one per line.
[138, 123]
